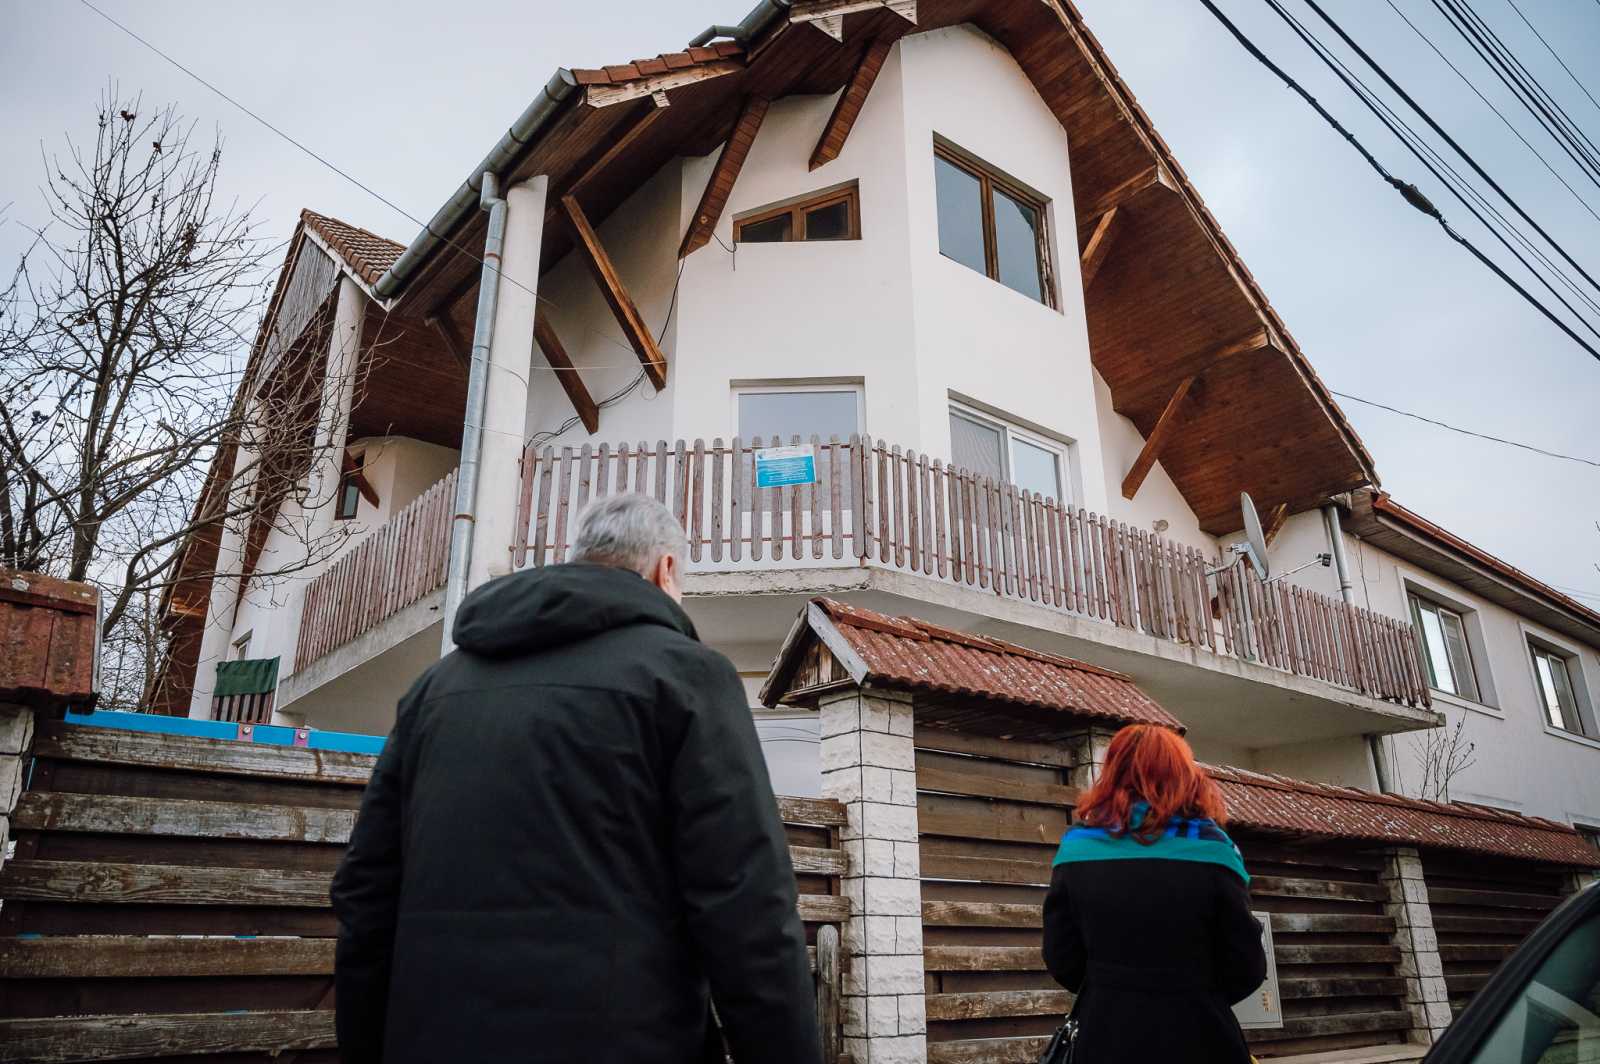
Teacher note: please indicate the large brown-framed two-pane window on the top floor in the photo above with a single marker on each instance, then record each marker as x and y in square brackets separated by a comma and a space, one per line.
[991, 225]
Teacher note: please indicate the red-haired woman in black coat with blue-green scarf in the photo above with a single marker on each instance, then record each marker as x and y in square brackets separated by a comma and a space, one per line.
[1148, 916]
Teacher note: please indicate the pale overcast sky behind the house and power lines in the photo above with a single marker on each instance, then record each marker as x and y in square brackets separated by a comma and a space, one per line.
[407, 95]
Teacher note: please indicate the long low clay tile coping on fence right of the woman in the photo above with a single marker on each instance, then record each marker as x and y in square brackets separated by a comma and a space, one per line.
[1278, 804]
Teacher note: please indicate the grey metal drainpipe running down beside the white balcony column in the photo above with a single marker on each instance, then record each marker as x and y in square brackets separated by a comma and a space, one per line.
[478, 393]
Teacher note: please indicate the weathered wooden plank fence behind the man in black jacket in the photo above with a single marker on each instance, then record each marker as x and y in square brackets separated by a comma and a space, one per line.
[169, 898]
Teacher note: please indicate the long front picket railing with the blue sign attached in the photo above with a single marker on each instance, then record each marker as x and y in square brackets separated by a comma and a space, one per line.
[884, 506]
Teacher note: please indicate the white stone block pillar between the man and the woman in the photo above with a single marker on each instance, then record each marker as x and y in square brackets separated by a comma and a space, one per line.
[870, 766]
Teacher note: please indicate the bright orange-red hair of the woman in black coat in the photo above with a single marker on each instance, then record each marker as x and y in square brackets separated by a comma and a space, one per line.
[1150, 764]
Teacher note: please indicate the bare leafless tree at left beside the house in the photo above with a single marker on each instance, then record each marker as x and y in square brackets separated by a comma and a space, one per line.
[122, 359]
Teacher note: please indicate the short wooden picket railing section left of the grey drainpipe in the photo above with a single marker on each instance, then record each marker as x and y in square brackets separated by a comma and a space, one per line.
[396, 566]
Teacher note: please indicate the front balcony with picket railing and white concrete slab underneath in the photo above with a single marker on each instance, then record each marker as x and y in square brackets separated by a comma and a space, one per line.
[906, 534]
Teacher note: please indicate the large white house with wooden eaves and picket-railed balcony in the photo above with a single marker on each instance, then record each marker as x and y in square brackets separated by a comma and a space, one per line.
[945, 242]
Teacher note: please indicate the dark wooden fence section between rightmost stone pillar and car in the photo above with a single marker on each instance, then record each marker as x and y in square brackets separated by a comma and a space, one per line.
[1482, 911]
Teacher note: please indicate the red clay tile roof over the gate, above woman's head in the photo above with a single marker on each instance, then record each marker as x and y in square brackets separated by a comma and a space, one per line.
[910, 654]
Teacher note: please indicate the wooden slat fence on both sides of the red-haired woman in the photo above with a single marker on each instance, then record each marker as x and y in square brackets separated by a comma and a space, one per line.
[990, 817]
